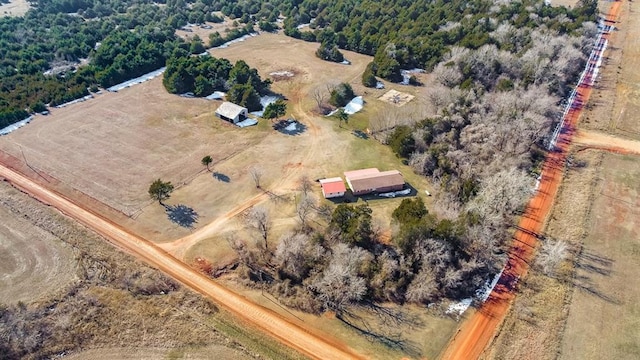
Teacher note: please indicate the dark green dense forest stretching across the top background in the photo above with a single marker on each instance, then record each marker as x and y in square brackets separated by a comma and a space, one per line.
[42, 53]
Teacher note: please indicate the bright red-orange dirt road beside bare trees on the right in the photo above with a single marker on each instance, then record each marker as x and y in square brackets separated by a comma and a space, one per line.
[477, 332]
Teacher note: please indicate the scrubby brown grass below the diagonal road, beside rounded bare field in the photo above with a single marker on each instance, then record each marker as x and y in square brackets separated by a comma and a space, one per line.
[116, 302]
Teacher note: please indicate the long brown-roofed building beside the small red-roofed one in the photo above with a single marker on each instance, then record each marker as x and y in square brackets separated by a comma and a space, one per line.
[366, 181]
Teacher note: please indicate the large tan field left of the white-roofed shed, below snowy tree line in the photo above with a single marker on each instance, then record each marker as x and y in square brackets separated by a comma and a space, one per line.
[113, 146]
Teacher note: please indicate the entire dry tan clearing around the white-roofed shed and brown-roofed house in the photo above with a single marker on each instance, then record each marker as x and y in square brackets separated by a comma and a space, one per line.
[114, 145]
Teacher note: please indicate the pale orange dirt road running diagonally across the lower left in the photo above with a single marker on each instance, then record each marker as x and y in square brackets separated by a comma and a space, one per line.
[289, 333]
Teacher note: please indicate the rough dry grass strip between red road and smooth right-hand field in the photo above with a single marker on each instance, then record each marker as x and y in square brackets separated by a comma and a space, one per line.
[533, 329]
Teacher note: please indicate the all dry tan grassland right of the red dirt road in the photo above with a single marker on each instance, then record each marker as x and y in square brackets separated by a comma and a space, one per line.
[589, 310]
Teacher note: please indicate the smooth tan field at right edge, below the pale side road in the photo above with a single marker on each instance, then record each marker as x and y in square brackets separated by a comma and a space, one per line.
[604, 314]
